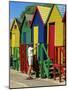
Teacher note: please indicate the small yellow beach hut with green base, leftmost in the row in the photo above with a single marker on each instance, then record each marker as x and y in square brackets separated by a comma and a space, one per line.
[15, 43]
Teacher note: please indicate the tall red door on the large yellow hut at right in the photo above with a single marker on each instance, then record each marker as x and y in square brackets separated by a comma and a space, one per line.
[51, 40]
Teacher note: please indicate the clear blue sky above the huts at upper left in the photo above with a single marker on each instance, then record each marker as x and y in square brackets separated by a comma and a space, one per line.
[16, 8]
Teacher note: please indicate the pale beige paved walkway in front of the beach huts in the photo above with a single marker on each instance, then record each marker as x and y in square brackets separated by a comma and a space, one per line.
[18, 80]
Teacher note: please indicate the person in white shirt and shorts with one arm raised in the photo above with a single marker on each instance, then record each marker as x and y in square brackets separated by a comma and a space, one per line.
[30, 60]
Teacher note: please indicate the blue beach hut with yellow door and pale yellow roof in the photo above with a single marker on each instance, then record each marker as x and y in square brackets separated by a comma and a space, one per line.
[39, 35]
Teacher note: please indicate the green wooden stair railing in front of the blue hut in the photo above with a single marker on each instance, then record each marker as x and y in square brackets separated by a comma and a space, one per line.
[45, 64]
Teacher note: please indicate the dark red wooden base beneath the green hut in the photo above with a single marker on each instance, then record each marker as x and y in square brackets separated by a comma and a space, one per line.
[23, 59]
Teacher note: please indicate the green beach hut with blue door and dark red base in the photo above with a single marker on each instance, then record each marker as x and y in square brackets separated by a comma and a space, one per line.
[25, 39]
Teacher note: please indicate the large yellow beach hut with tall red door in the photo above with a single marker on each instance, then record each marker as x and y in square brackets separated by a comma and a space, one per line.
[55, 34]
